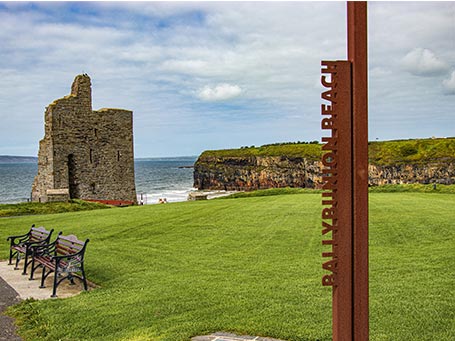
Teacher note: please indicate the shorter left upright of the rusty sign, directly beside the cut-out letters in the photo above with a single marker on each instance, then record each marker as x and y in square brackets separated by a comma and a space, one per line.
[342, 292]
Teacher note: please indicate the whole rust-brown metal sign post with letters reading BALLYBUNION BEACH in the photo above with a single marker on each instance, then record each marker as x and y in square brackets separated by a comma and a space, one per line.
[345, 176]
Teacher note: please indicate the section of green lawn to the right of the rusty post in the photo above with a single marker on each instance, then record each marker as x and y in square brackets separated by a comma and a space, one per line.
[412, 290]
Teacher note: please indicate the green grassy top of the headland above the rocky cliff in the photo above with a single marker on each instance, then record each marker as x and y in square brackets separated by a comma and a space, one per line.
[380, 152]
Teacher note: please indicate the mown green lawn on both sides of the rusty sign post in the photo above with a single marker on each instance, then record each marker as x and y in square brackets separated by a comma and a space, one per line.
[249, 266]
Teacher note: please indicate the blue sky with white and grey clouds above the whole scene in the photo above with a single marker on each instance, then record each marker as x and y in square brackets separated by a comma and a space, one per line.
[212, 75]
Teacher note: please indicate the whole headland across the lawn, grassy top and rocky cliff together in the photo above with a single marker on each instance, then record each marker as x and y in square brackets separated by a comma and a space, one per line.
[298, 165]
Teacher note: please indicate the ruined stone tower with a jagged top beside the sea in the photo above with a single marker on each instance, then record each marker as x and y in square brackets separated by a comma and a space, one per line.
[85, 154]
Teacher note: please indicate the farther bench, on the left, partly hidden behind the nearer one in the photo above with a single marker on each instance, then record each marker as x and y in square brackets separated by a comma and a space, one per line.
[22, 245]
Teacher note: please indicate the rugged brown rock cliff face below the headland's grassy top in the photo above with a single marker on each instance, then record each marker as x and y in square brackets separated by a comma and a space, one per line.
[261, 172]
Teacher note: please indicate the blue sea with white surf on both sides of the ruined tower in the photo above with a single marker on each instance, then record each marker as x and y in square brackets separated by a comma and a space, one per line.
[156, 178]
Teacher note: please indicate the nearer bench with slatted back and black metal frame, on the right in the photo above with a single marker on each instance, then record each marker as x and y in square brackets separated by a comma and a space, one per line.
[64, 257]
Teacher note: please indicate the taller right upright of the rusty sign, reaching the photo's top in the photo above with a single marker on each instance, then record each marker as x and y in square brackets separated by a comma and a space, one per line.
[357, 55]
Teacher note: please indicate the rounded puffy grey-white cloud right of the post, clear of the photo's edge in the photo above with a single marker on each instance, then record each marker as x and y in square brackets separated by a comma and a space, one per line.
[423, 62]
